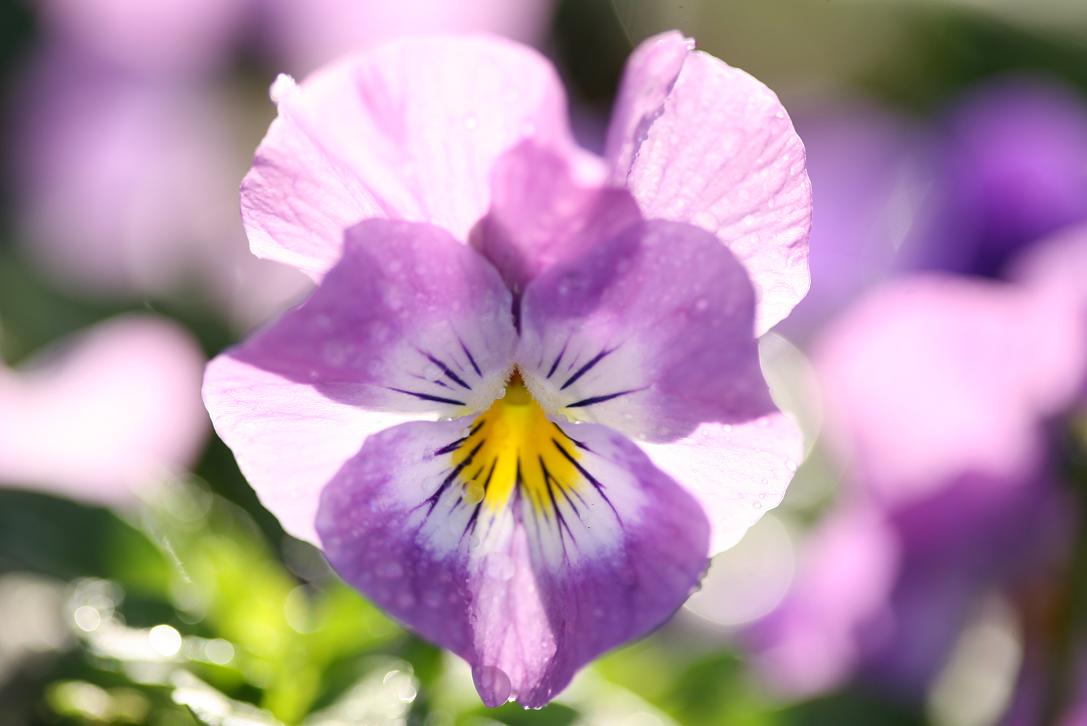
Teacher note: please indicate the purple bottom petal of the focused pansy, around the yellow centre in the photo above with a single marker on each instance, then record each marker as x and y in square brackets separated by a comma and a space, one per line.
[526, 593]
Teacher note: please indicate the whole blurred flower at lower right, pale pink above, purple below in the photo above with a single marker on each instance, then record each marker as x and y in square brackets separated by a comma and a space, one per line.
[940, 394]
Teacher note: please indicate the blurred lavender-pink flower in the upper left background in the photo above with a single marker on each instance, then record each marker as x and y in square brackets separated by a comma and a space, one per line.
[131, 190]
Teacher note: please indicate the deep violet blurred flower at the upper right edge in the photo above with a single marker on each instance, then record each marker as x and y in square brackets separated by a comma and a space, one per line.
[1015, 170]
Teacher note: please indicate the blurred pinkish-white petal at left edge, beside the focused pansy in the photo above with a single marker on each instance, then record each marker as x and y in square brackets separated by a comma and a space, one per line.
[115, 409]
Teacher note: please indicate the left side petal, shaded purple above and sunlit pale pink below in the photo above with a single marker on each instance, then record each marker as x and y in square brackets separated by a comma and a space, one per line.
[409, 323]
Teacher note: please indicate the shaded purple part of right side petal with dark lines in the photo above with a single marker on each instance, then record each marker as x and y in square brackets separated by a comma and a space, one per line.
[651, 333]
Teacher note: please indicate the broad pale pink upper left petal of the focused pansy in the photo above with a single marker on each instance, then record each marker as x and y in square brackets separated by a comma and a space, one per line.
[409, 131]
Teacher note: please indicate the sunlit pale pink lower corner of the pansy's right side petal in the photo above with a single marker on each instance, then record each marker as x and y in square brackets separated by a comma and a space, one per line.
[736, 473]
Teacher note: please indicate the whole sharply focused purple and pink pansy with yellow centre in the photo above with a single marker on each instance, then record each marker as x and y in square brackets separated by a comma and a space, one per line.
[524, 404]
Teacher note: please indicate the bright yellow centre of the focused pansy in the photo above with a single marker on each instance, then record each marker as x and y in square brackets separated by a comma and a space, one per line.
[515, 447]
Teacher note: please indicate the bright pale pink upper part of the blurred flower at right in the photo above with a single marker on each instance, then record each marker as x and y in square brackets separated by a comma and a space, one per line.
[930, 379]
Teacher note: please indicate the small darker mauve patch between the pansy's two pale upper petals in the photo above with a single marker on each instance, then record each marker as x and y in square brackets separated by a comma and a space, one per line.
[541, 215]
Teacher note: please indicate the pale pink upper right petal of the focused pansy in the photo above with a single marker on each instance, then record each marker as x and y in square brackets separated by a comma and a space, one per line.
[710, 145]
